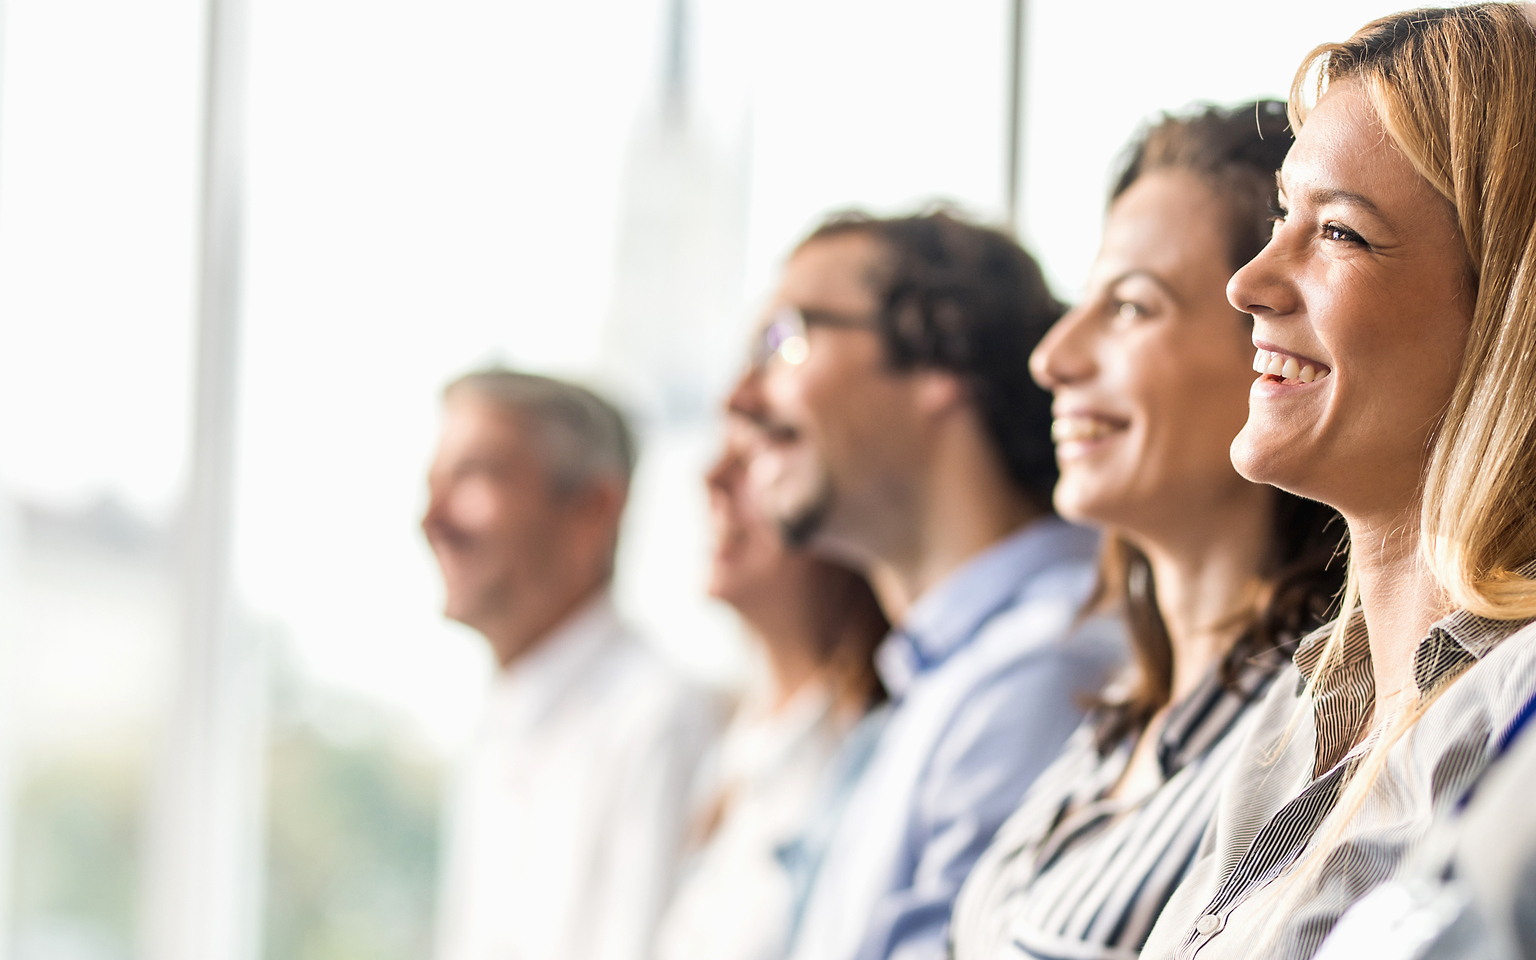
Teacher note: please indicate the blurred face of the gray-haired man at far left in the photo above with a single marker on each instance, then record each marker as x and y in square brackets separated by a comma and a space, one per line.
[494, 520]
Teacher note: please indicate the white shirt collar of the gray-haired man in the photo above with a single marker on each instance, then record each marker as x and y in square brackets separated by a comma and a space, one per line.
[525, 692]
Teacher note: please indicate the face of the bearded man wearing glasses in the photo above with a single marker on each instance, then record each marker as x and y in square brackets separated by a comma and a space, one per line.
[836, 420]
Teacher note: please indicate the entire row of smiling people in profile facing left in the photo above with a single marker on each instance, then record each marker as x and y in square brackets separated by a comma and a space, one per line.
[1191, 621]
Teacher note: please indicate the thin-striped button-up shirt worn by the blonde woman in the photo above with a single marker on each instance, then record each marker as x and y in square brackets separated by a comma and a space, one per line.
[1253, 893]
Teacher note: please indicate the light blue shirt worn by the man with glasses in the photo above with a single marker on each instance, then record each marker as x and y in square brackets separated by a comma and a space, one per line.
[988, 678]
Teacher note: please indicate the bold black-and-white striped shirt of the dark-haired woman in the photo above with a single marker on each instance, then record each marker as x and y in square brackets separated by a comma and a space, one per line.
[1084, 875]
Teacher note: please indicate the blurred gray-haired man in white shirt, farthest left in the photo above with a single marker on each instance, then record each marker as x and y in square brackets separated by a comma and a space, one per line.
[569, 812]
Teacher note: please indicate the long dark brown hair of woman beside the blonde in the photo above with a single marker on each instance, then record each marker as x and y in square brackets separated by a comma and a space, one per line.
[1237, 154]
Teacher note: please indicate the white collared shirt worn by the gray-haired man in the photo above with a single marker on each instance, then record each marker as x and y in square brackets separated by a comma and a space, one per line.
[568, 816]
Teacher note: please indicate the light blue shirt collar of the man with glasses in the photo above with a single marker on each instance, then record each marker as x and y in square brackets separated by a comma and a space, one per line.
[952, 614]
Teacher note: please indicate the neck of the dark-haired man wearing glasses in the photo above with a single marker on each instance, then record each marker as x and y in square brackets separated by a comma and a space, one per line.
[967, 505]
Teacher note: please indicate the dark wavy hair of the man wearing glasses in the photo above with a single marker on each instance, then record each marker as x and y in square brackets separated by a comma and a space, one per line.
[968, 299]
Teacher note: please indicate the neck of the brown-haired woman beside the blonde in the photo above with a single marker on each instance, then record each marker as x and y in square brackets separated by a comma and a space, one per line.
[1207, 581]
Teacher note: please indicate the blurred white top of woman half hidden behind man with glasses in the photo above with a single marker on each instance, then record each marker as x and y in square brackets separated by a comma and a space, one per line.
[737, 899]
